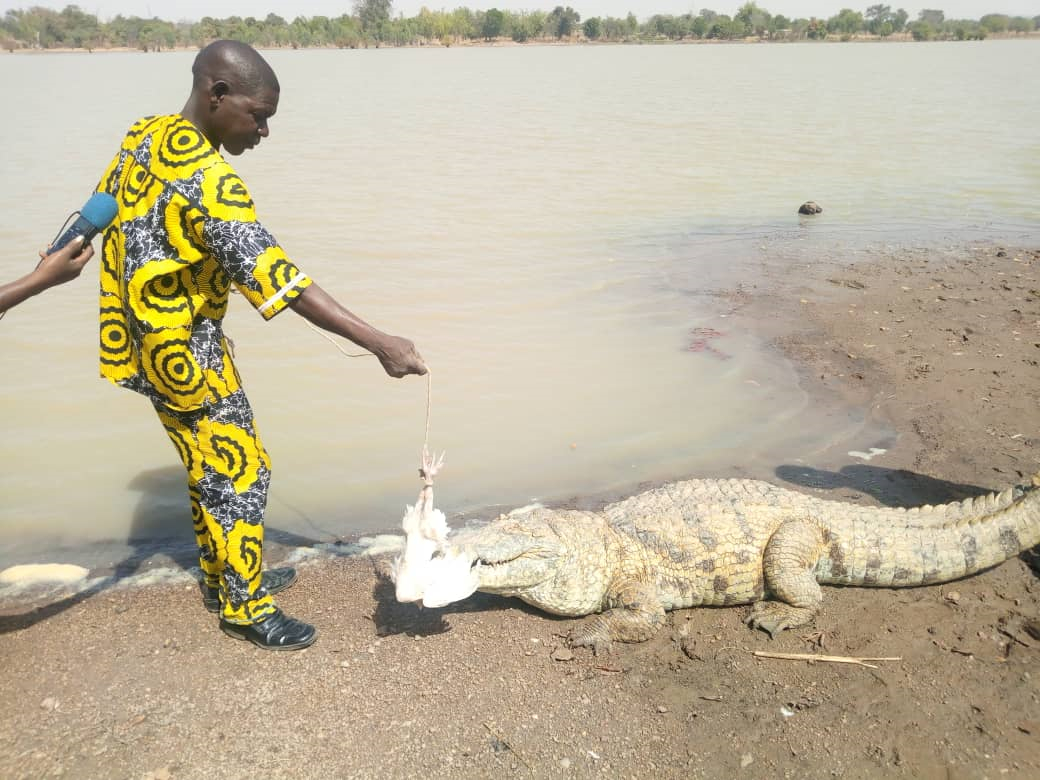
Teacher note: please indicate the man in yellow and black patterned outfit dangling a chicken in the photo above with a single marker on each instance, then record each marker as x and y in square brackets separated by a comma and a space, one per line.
[187, 231]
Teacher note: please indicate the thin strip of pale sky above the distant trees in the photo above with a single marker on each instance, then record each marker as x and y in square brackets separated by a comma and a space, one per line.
[194, 10]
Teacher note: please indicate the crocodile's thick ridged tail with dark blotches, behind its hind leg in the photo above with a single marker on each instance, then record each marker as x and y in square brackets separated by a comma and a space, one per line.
[864, 552]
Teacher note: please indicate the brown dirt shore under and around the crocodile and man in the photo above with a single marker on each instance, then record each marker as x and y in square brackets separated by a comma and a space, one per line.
[943, 344]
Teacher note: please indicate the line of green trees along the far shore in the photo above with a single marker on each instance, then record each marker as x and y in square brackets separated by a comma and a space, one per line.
[373, 23]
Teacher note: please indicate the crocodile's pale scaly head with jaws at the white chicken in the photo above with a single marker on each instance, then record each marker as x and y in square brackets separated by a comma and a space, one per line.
[555, 561]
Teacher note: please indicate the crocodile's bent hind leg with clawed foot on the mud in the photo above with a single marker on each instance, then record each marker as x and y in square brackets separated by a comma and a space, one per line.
[789, 565]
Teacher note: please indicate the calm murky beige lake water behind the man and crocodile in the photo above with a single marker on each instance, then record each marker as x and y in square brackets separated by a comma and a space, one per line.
[549, 224]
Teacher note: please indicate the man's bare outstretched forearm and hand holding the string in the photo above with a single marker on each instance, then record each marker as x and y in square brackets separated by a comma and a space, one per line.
[398, 355]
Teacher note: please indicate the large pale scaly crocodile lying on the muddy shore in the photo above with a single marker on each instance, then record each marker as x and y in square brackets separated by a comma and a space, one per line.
[722, 543]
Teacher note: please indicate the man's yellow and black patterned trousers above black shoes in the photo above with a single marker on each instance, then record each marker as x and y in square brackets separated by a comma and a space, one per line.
[229, 474]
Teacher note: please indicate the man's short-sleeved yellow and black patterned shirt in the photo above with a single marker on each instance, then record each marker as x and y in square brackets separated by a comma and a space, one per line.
[185, 233]
